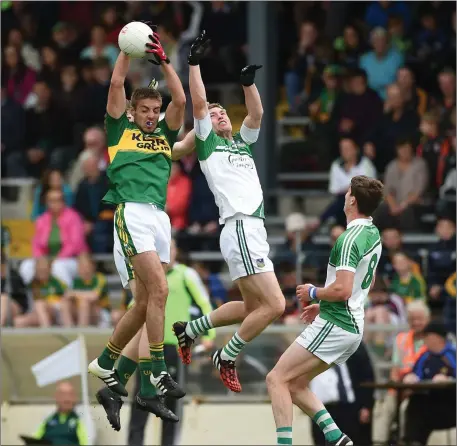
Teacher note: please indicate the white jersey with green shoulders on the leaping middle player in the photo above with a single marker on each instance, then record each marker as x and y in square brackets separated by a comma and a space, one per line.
[229, 169]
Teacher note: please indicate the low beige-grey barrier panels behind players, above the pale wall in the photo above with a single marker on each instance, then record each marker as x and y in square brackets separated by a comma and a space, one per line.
[21, 348]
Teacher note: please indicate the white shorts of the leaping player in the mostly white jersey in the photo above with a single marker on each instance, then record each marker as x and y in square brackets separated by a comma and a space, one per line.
[244, 246]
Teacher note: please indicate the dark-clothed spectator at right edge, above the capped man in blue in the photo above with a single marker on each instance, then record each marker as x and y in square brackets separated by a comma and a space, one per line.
[441, 257]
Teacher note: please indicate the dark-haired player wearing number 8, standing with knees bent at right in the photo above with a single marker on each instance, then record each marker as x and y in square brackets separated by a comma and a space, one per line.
[336, 323]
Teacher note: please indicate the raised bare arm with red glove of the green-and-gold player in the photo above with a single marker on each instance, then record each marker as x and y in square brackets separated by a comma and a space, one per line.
[174, 115]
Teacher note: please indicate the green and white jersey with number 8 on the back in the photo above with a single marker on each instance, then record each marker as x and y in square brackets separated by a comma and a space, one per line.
[358, 250]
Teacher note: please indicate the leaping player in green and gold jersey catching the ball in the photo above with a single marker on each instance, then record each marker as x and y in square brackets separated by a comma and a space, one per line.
[140, 162]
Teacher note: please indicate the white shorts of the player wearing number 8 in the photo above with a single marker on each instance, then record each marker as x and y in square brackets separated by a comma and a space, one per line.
[328, 342]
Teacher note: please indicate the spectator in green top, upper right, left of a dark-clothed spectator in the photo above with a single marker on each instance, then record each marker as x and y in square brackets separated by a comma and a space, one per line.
[321, 108]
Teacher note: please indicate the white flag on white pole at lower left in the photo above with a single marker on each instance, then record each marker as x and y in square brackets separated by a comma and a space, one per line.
[69, 361]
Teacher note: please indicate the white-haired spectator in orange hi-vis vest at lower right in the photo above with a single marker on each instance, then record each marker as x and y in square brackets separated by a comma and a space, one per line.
[407, 348]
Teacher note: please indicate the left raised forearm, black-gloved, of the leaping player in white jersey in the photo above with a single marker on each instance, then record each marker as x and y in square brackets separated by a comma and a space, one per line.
[197, 89]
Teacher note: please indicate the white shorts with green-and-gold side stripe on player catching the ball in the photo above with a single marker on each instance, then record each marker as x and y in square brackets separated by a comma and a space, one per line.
[139, 227]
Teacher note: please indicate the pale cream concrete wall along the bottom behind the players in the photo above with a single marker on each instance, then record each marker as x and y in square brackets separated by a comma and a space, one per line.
[203, 424]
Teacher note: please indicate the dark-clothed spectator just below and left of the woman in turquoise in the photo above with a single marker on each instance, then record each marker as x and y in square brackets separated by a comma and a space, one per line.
[360, 110]
